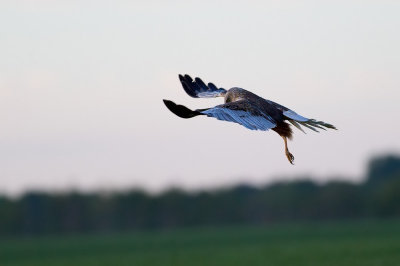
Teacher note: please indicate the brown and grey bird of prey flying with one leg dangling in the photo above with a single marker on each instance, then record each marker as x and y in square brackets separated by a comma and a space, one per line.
[245, 108]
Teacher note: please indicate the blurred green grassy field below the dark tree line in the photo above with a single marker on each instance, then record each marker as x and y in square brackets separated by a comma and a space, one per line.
[341, 243]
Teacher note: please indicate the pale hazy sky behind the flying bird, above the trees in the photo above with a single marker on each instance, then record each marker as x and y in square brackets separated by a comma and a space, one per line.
[82, 83]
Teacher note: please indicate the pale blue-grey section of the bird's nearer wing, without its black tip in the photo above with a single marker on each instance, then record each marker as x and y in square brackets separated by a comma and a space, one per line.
[243, 113]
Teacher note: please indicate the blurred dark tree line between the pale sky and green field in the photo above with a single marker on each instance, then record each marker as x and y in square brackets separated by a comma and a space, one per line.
[41, 213]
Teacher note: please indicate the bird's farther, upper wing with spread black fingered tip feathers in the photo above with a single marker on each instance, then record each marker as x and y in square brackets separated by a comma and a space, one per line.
[198, 89]
